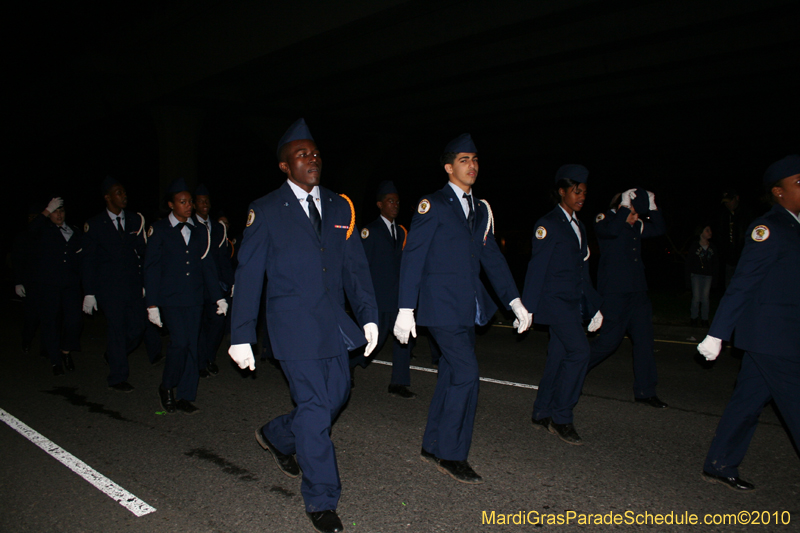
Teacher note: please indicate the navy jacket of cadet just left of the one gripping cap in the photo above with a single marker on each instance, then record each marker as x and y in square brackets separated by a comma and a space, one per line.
[558, 272]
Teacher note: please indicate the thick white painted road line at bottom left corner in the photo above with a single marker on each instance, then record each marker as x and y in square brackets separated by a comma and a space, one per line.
[102, 483]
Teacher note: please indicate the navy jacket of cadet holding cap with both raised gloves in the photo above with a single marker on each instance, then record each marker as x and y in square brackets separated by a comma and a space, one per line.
[621, 268]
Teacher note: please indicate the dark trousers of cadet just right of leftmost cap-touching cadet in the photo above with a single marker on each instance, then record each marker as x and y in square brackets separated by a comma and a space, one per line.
[126, 322]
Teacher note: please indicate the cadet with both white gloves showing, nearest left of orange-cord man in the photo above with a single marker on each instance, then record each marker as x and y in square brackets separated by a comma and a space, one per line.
[177, 270]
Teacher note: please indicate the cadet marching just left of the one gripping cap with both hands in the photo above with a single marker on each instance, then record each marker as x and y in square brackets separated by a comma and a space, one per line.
[559, 293]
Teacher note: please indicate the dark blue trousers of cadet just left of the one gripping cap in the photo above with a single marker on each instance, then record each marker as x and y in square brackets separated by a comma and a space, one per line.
[564, 372]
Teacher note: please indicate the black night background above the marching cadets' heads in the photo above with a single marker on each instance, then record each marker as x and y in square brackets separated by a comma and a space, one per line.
[683, 98]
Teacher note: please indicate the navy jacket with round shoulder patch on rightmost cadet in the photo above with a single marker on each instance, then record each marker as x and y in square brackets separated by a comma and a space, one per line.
[762, 303]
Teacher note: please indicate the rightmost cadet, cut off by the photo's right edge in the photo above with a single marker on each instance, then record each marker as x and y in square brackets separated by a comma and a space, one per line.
[762, 305]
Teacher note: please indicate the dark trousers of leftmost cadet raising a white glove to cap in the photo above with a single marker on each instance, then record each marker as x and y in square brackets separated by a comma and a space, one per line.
[61, 320]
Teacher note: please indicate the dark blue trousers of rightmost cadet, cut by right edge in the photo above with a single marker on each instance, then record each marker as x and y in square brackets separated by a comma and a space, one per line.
[762, 378]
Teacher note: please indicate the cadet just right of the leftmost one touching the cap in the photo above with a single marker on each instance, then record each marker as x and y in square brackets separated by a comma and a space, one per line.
[114, 249]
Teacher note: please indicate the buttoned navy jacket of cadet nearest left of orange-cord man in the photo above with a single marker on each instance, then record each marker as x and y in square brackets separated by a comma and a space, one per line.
[175, 274]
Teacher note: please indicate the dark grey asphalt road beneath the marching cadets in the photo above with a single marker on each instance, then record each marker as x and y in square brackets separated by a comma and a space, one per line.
[206, 473]
